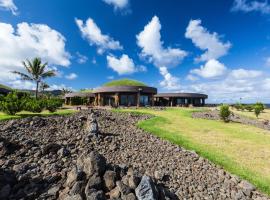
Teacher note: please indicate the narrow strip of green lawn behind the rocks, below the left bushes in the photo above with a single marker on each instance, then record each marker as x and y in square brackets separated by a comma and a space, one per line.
[23, 114]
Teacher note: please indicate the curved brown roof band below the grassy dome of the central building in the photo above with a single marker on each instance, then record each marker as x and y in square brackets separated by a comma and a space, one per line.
[126, 88]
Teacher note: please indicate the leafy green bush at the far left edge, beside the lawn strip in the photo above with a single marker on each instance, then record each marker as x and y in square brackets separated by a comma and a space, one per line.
[11, 104]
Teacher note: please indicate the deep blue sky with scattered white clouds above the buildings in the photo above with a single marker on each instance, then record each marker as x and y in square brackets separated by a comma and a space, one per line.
[220, 48]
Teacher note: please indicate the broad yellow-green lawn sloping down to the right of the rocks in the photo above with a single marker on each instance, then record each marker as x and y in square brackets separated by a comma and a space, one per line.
[241, 149]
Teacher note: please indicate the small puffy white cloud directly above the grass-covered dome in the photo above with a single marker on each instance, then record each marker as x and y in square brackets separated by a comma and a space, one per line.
[123, 65]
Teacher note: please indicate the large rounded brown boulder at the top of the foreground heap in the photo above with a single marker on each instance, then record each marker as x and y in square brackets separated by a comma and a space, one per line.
[92, 163]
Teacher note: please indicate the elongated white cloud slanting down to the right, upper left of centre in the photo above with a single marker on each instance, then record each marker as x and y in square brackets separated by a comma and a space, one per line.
[93, 34]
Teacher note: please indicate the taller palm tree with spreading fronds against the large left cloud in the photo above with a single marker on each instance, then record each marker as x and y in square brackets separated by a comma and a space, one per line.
[35, 72]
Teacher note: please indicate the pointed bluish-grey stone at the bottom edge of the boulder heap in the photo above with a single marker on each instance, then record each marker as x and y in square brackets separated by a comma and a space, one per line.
[146, 189]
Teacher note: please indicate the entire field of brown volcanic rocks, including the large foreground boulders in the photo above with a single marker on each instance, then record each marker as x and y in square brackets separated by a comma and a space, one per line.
[51, 158]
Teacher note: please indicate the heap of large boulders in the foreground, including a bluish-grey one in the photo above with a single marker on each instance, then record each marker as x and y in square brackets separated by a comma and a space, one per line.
[93, 179]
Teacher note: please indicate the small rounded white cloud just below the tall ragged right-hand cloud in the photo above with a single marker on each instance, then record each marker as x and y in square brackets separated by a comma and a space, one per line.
[211, 69]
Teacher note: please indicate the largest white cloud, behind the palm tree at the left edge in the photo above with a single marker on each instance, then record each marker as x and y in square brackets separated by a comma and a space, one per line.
[26, 42]
